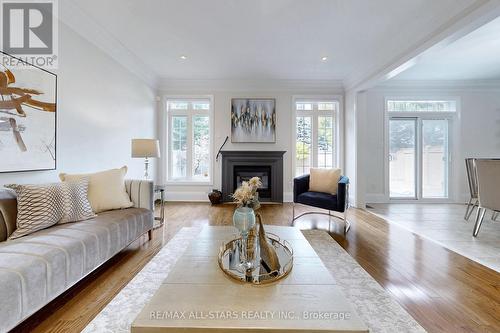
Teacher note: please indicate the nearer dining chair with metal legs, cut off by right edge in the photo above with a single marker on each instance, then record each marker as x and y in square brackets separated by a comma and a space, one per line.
[488, 181]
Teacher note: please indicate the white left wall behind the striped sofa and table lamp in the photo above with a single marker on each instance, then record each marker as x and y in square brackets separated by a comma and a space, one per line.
[101, 106]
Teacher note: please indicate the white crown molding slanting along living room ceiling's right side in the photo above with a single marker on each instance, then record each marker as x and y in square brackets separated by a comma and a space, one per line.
[476, 15]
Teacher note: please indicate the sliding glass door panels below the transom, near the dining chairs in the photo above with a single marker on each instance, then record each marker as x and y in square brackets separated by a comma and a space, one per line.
[418, 158]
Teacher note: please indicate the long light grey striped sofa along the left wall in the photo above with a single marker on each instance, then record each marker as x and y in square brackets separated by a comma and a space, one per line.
[37, 268]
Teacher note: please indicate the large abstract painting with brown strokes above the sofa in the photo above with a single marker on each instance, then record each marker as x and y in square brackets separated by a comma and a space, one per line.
[28, 103]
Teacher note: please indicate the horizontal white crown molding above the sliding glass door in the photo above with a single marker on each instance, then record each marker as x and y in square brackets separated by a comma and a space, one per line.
[439, 85]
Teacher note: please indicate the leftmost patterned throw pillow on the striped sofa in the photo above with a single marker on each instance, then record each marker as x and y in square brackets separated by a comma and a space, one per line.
[38, 207]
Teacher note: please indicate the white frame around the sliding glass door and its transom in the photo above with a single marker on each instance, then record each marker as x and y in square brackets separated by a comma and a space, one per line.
[453, 118]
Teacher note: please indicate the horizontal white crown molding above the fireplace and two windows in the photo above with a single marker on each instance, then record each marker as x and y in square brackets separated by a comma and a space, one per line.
[329, 86]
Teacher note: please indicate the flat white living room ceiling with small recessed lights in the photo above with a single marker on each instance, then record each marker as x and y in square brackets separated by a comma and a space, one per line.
[263, 39]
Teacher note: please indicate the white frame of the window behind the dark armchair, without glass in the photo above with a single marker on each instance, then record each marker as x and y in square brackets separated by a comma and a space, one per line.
[338, 127]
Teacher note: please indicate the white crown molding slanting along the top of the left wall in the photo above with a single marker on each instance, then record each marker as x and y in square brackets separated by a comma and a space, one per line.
[73, 16]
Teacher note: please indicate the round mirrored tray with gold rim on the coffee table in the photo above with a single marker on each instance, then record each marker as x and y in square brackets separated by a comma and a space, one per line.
[229, 262]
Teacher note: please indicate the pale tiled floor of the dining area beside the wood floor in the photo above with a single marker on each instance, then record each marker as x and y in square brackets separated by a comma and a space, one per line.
[445, 225]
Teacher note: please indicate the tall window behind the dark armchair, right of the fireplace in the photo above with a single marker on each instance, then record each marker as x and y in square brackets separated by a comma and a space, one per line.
[315, 135]
